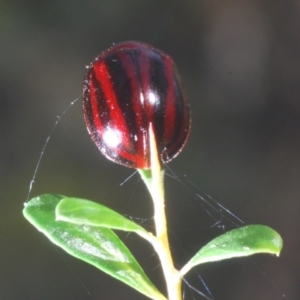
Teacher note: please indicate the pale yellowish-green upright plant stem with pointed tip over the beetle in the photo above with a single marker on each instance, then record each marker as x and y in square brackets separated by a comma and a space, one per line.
[155, 185]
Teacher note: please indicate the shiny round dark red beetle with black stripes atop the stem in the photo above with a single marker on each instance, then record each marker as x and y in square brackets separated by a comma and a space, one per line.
[126, 88]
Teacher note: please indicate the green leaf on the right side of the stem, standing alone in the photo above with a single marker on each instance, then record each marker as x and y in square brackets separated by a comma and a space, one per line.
[238, 242]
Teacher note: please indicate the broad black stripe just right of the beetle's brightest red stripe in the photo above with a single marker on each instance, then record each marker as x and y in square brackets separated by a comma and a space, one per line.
[123, 91]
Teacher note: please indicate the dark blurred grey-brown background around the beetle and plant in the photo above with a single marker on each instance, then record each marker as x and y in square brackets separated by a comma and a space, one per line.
[240, 63]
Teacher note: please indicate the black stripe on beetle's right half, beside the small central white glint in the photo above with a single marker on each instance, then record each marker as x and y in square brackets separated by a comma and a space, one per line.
[159, 84]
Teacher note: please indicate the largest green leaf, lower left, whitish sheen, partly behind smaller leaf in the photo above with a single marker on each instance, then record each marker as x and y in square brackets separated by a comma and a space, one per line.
[100, 247]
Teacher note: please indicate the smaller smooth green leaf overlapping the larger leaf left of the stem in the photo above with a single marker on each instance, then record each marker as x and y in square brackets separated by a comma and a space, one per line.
[80, 211]
